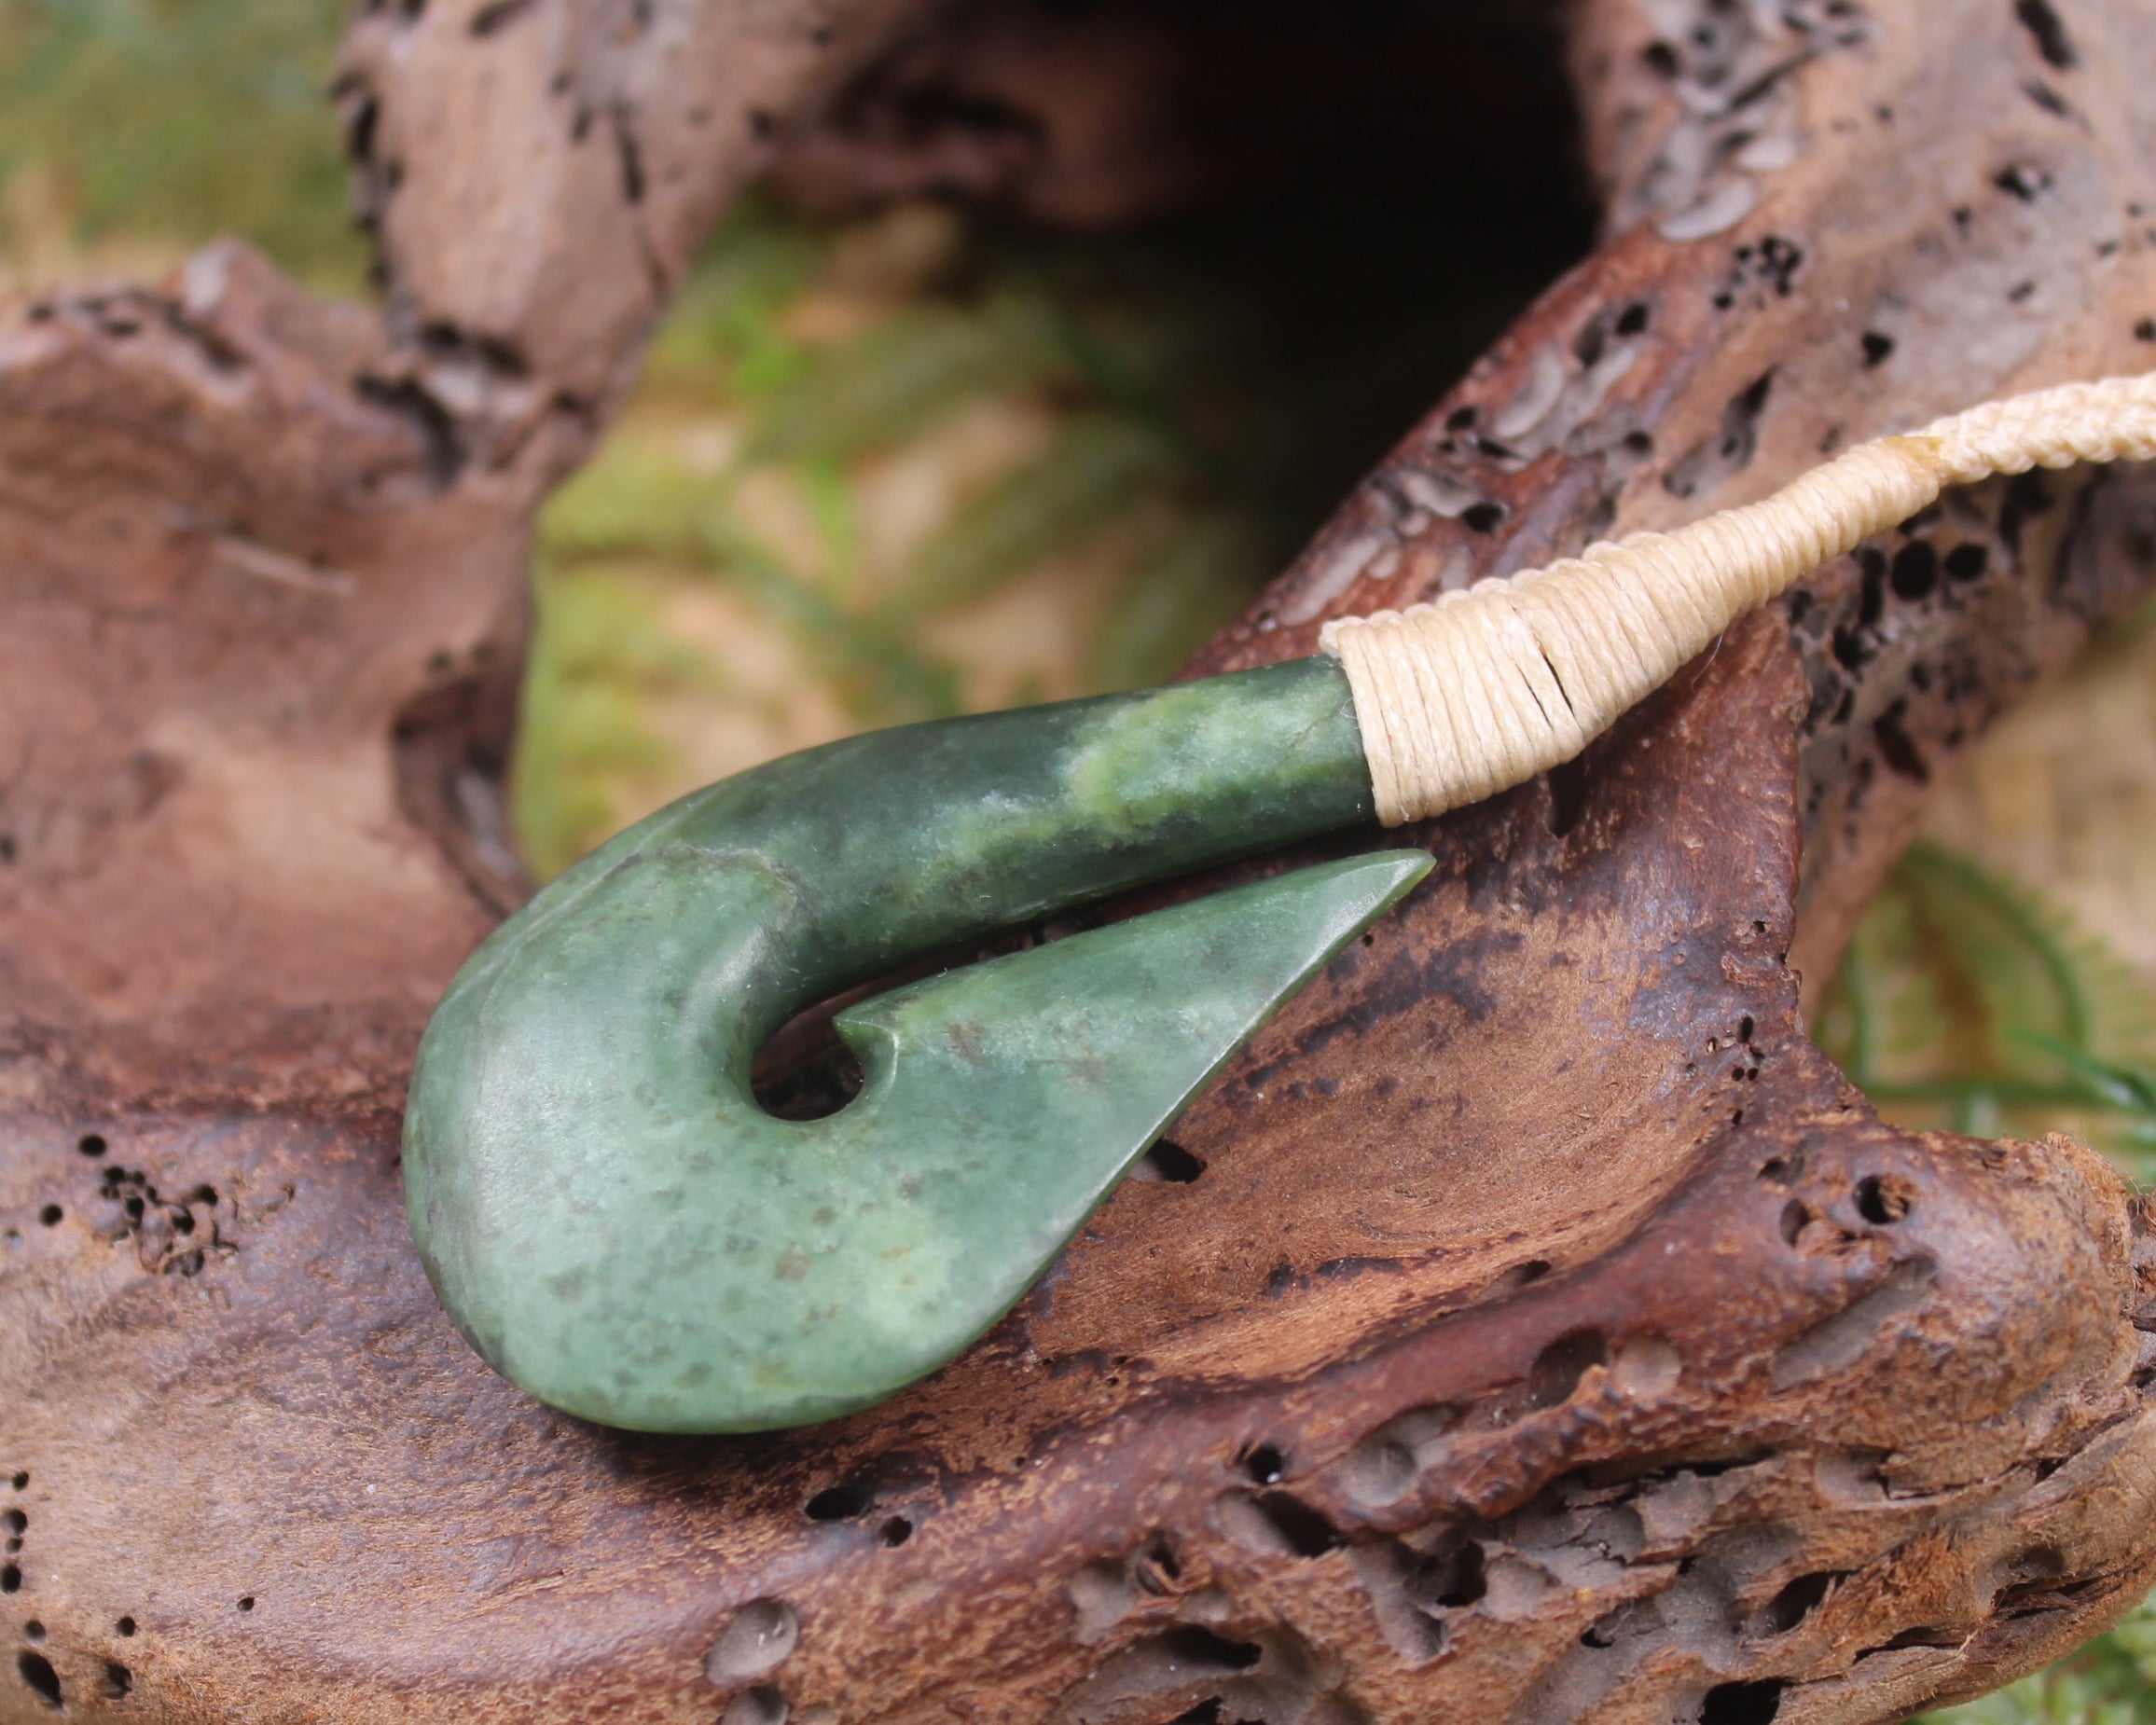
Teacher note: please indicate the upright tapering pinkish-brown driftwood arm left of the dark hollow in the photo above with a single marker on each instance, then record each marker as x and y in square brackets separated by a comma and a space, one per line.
[635, 124]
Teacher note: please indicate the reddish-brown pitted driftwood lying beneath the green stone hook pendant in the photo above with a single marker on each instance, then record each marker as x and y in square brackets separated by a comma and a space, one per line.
[1534, 1325]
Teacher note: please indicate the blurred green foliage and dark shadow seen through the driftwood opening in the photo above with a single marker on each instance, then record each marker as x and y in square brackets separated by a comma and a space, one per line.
[1202, 396]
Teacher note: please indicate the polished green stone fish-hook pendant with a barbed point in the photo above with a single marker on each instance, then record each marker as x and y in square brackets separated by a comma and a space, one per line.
[616, 1224]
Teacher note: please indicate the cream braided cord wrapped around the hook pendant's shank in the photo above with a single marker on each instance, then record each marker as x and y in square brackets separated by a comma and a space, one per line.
[1484, 689]
